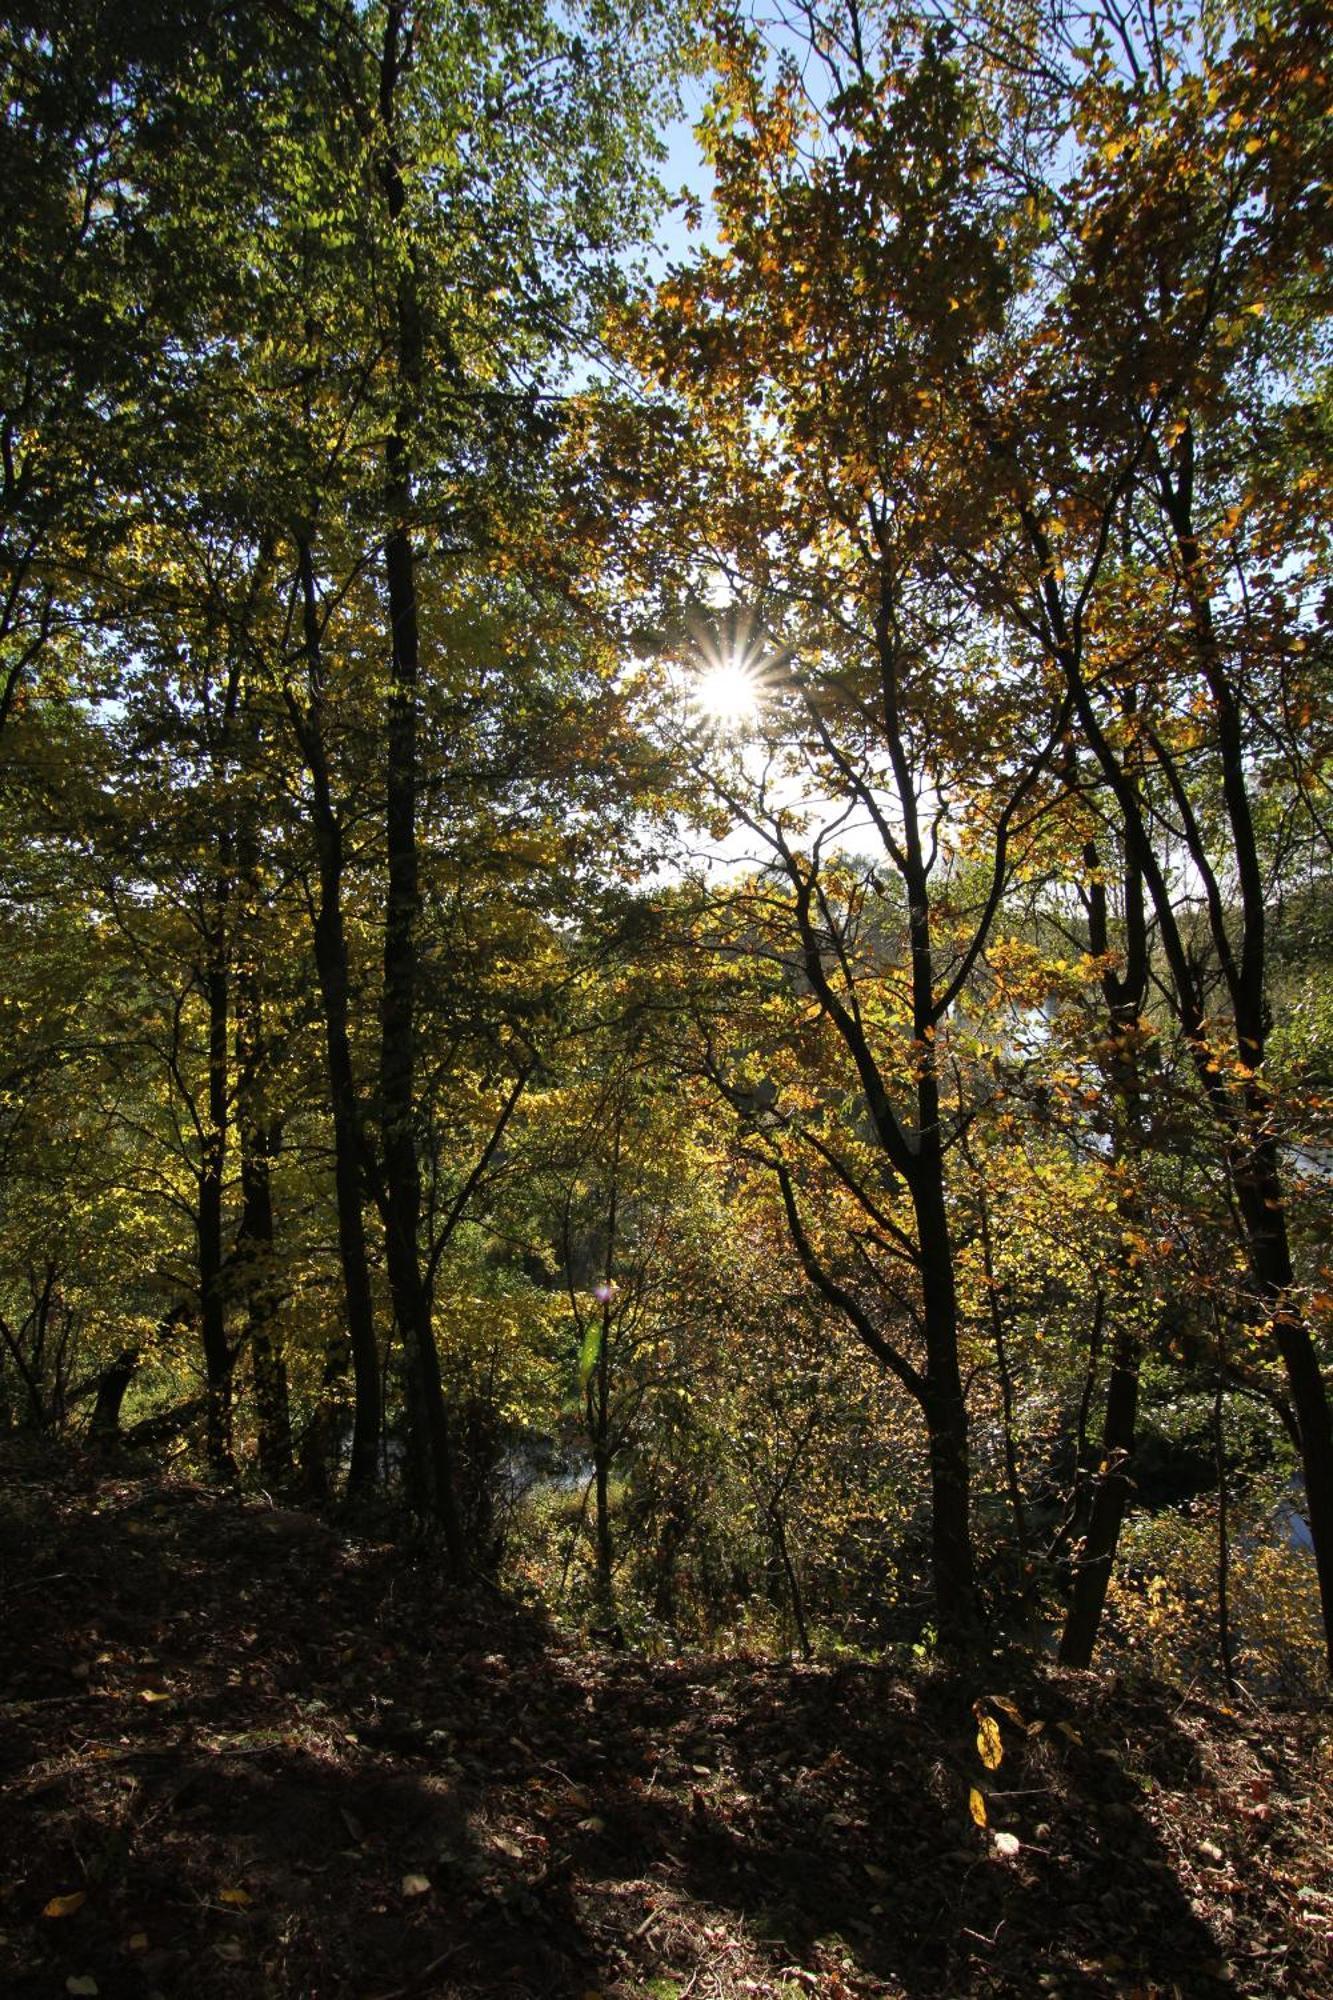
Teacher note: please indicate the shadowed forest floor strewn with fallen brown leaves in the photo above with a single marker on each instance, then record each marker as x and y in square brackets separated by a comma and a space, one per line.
[247, 1757]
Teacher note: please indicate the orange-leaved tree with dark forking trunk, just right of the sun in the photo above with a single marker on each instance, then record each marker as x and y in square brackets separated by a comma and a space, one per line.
[824, 493]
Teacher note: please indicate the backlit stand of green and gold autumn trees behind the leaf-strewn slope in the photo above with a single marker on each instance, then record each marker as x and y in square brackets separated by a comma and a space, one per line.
[665, 853]
